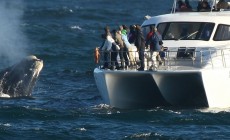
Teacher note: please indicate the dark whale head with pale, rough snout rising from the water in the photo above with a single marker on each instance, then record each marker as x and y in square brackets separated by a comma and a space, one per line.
[19, 80]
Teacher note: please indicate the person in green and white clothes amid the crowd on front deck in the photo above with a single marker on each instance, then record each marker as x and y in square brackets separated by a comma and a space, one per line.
[128, 46]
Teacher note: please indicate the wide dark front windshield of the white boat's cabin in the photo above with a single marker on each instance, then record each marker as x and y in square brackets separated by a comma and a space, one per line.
[186, 30]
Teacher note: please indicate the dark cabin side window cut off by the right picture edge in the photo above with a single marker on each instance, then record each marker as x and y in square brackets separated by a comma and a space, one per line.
[222, 33]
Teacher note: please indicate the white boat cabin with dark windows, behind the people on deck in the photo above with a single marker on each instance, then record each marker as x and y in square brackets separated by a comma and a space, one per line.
[192, 29]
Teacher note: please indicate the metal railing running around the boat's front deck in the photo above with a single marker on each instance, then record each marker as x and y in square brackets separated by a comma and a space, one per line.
[184, 58]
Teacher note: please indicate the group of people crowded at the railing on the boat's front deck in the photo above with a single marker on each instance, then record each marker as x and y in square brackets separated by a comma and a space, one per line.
[127, 43]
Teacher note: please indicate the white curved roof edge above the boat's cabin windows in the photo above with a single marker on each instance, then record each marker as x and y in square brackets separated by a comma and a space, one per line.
[215, 17]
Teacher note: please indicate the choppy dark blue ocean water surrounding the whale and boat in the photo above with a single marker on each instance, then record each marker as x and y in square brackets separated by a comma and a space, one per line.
[66, 103]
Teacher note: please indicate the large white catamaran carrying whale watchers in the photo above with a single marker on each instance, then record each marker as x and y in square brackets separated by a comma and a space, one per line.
[196, 71]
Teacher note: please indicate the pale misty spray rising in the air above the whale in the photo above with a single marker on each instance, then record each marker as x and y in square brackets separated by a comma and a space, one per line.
[12, 40]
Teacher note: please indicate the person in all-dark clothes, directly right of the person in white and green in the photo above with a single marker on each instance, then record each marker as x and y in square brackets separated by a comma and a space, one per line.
[140, 44]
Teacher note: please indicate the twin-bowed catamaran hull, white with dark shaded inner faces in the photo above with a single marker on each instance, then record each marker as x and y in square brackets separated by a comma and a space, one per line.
[146, 89]
